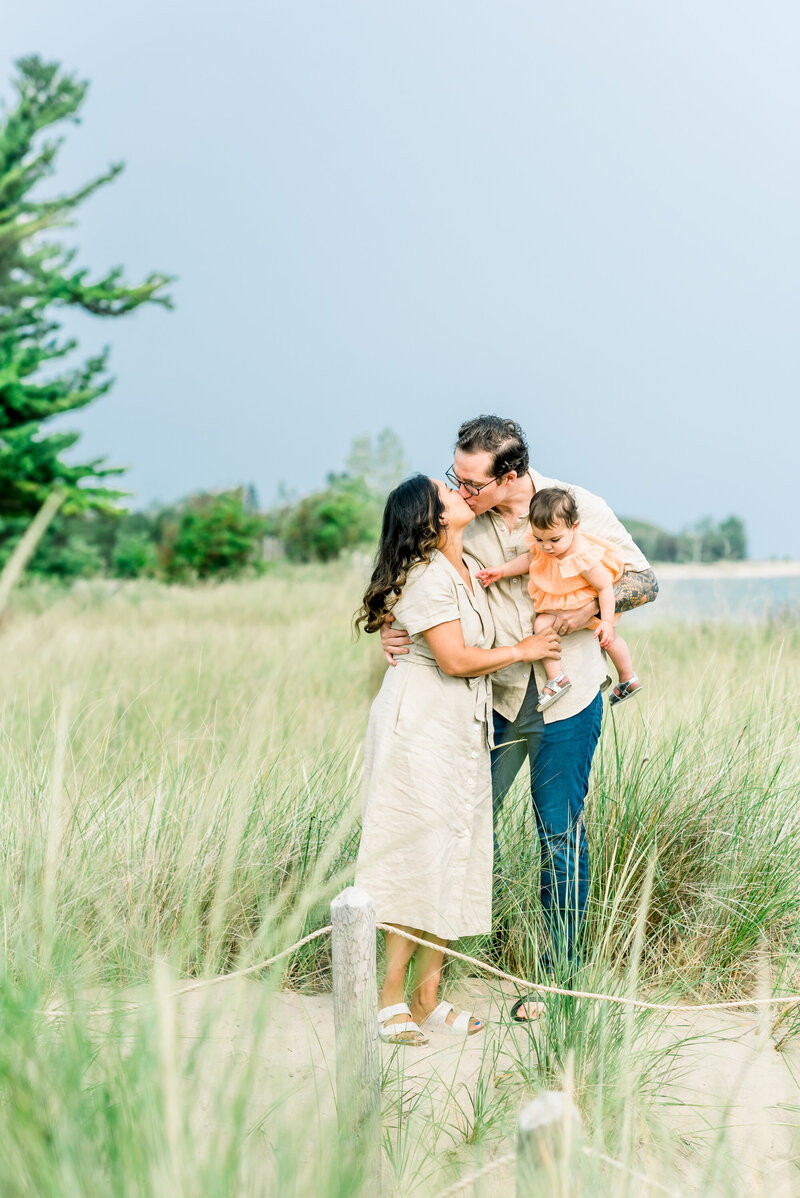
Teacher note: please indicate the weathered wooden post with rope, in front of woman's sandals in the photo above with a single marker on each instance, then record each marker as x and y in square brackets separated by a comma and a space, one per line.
[355, 1014]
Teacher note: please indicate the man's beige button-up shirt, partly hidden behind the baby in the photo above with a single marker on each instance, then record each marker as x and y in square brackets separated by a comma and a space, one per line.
[489, 540]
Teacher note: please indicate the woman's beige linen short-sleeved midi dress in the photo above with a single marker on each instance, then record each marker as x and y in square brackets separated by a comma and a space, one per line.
[426, 854]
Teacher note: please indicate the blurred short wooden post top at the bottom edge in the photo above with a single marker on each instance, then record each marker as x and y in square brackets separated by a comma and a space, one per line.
[548, 1130]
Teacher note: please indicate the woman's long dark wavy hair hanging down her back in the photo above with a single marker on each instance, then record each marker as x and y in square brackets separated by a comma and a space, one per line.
[410, 534]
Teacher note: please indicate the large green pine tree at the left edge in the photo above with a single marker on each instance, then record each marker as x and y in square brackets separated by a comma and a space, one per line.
[38, 279]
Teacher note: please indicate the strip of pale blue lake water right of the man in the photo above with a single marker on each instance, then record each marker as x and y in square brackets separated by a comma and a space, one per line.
[726, 600]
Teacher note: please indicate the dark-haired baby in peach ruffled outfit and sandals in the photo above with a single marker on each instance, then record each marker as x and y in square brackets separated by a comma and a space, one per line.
[569, 568]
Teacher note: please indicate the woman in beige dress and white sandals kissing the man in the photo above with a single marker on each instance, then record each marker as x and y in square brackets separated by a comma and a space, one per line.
[426, 855]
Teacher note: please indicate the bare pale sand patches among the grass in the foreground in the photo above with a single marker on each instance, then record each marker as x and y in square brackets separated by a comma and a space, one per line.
[725, 1075]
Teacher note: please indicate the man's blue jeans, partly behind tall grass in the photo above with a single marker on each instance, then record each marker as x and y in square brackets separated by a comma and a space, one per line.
[561, 759]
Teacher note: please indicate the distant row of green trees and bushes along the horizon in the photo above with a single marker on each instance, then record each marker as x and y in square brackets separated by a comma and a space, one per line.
[226, 535]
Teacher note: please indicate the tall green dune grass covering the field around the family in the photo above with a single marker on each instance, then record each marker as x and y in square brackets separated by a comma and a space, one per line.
[180, 797]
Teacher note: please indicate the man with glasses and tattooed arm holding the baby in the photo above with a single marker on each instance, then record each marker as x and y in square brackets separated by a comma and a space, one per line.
[493, 475]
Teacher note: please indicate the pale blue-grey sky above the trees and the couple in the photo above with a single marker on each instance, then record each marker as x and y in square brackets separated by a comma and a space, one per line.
[584, 216]
